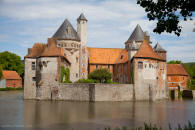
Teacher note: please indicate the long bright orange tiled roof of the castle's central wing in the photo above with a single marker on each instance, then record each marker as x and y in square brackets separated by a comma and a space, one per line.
[103, 55]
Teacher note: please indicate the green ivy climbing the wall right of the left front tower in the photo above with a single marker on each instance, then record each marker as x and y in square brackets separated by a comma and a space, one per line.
[65, 72]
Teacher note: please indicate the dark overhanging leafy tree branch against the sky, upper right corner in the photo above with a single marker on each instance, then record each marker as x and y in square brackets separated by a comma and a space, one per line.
[168, 13]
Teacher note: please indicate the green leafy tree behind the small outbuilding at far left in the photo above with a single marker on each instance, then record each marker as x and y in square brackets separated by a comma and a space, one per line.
[11, 61]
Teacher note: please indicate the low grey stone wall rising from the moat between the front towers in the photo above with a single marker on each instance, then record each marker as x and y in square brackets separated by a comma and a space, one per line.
[88, 92]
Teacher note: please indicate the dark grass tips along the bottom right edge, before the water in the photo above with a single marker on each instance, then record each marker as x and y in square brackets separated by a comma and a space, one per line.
[189, 126]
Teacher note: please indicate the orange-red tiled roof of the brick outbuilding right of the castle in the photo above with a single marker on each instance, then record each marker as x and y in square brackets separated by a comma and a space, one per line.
[176, 69]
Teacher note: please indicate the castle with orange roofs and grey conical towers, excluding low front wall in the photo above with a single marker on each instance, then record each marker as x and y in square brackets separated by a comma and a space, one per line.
[137, 64]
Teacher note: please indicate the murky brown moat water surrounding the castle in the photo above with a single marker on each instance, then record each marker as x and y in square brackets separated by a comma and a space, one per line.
[16, 113]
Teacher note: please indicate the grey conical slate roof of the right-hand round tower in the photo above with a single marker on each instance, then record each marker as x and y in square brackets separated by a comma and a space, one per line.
[137, 35]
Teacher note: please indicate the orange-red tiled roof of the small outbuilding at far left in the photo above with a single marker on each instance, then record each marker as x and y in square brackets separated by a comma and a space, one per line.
[7, 74]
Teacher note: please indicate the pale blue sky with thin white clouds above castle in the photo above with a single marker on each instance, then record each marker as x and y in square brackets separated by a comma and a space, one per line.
[110, 23]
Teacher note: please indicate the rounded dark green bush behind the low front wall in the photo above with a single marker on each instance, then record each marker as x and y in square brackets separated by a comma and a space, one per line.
[100, 75]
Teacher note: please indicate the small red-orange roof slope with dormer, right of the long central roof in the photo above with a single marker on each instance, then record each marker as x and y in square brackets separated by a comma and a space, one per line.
[123, 57]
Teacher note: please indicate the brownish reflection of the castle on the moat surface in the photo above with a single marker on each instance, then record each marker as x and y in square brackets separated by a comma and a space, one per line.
[83, 115]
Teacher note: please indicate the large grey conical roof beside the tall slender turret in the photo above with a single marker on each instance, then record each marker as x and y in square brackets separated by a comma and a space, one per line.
[66, 31]
